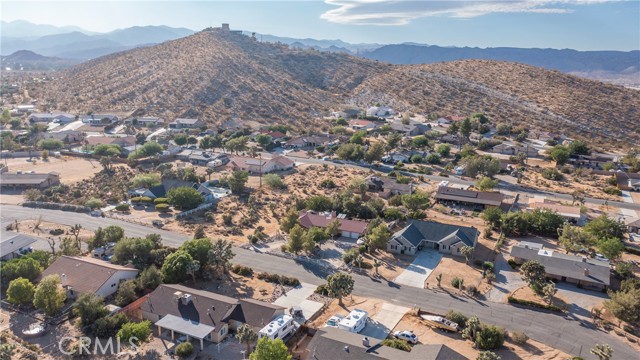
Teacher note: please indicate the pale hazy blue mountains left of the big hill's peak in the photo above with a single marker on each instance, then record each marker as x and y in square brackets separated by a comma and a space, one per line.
[82, 46]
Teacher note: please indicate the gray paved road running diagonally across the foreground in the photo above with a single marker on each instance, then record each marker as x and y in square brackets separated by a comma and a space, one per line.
[573, 336]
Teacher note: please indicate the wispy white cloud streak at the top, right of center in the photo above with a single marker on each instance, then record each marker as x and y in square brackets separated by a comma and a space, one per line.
[400, 12]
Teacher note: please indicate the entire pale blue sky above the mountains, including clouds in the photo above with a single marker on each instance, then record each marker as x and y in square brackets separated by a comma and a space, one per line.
[560, 24]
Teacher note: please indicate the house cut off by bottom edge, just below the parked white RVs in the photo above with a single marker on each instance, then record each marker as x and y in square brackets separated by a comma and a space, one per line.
[331, 343]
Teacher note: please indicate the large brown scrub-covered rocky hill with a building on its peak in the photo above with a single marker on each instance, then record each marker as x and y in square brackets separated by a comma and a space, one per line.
[227, 76]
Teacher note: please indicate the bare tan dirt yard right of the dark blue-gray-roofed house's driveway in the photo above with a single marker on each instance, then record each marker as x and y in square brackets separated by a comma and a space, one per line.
[454, 266]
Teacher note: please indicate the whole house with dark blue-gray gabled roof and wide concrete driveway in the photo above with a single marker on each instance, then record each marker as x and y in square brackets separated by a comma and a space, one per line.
[445, 238]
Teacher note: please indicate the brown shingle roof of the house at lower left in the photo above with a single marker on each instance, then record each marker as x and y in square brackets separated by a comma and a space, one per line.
[84, 274]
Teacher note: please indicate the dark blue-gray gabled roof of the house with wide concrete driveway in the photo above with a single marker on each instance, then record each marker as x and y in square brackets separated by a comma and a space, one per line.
[418, 230]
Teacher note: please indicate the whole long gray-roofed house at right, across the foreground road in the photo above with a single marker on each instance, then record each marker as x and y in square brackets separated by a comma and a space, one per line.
[579, 270]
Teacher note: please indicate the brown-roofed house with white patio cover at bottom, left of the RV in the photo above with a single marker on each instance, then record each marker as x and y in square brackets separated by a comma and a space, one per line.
[203, 315]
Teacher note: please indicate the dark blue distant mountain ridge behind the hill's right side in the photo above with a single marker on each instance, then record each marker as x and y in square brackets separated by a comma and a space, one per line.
[591, 64]
